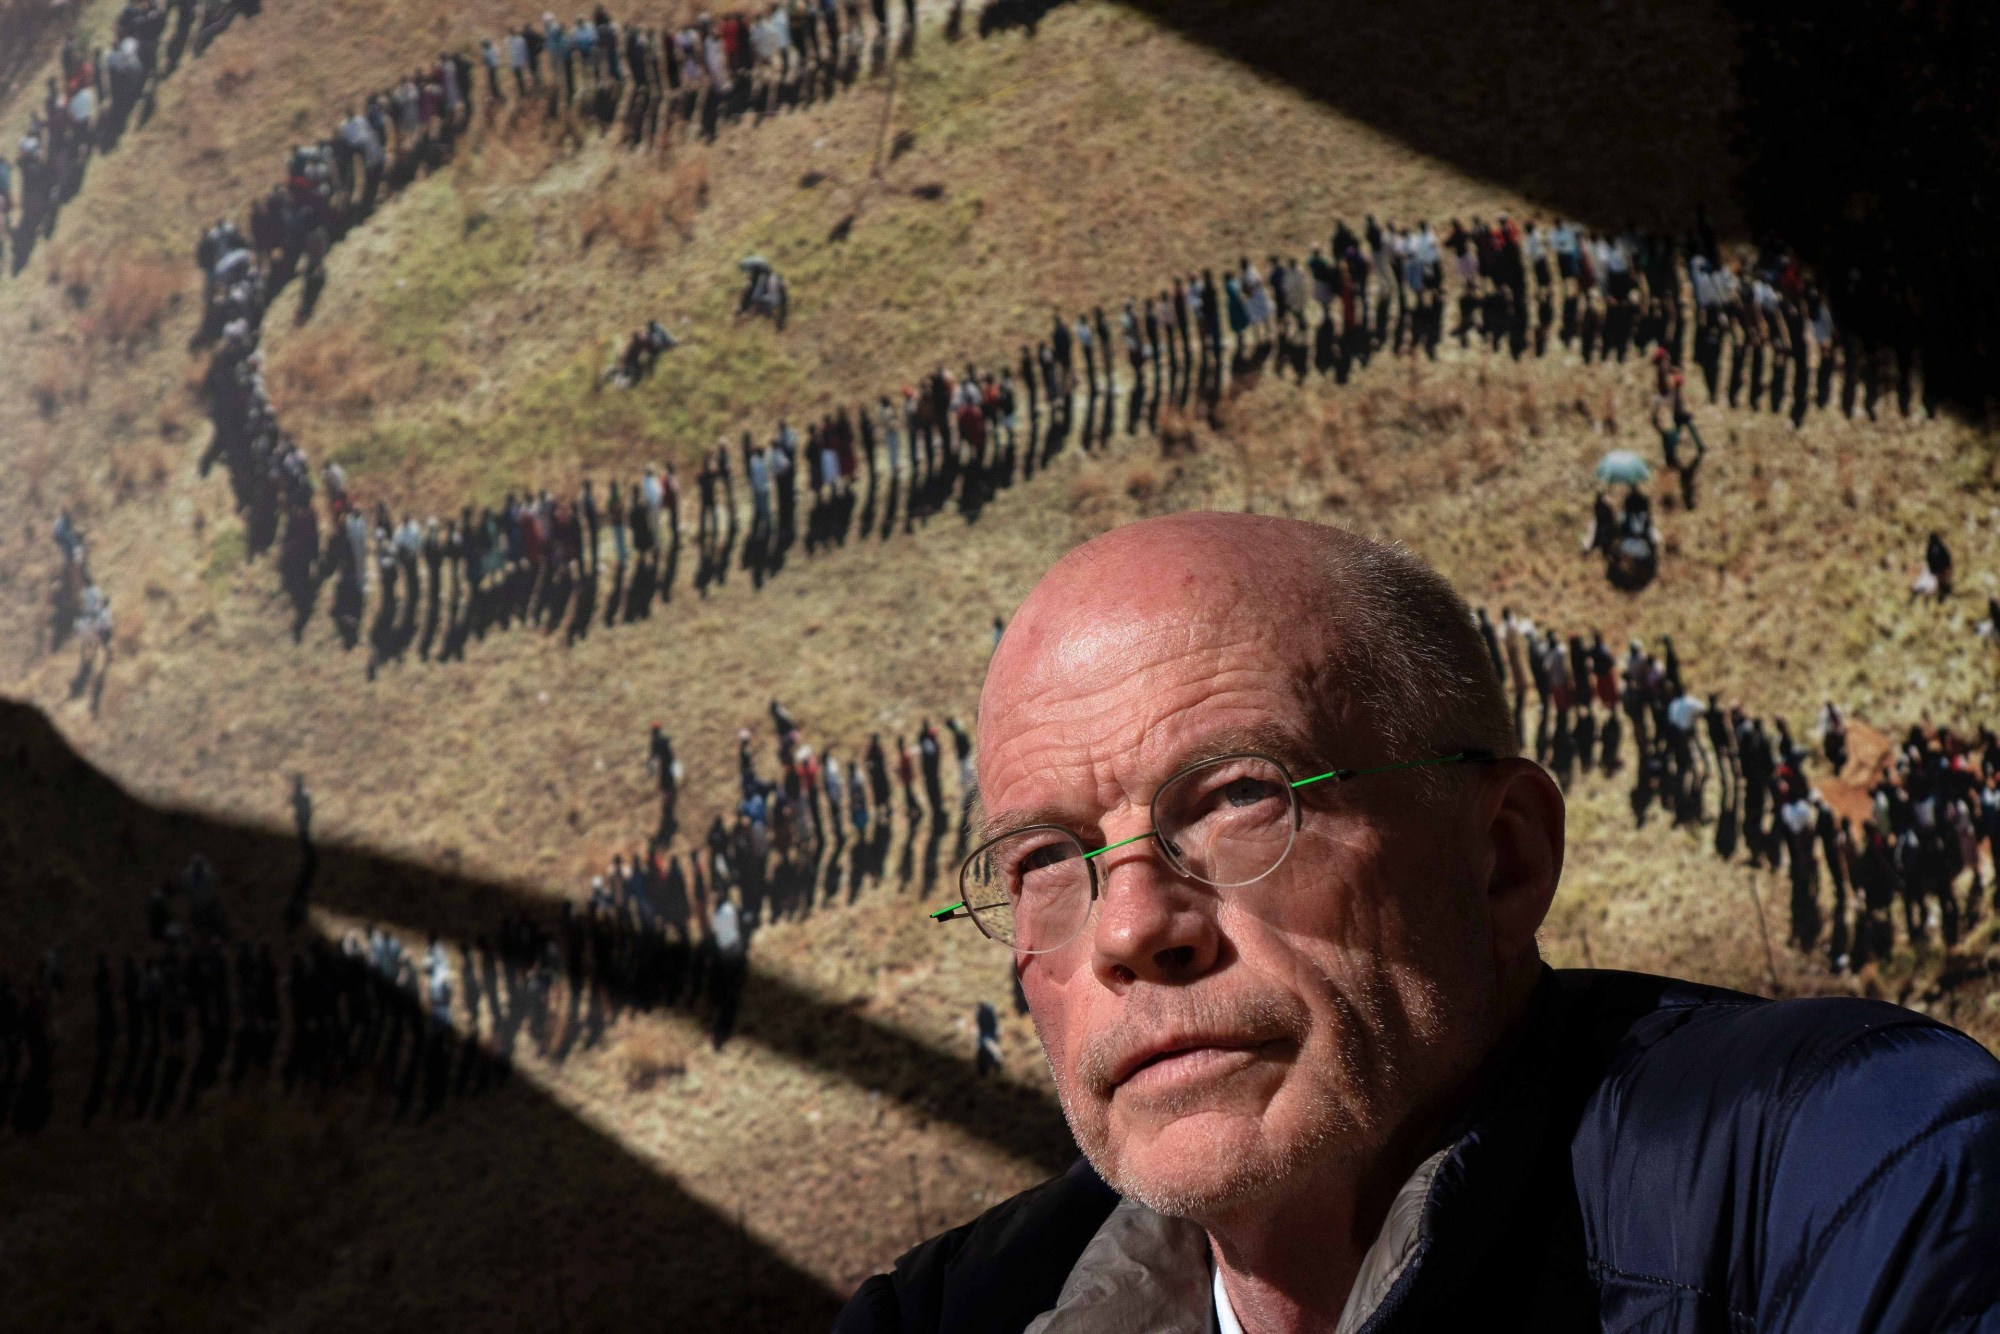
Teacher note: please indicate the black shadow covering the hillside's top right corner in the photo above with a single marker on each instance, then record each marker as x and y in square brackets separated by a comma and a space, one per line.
[1859, 135]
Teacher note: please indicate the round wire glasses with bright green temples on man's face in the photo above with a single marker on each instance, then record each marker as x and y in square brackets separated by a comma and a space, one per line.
[1225, 823]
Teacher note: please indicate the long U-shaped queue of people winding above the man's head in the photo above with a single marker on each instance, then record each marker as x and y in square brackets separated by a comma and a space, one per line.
[535, 557]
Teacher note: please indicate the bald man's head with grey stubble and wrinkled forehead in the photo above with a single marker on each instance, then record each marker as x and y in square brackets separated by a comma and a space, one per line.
[1329, 1013]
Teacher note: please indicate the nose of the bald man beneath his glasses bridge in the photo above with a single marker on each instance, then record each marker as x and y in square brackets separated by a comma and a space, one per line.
[1153, 923]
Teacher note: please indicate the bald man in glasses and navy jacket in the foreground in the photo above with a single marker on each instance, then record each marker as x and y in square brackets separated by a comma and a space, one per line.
[1271, 873]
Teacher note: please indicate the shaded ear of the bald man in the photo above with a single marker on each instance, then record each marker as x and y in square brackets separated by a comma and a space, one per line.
[1523, 821]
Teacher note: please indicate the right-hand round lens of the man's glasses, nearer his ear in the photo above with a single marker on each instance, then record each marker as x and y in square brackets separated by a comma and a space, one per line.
[1229, 821]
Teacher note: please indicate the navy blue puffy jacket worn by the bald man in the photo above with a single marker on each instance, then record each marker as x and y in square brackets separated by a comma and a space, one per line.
[1657, 1157]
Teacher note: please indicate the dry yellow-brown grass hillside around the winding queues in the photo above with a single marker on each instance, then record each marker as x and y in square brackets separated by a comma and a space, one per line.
[455, 355]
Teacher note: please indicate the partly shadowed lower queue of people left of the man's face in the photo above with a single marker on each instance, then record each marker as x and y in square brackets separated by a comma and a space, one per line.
[209, 1005]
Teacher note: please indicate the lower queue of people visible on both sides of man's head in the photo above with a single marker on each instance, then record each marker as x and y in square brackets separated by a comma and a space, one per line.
[669, 923]
